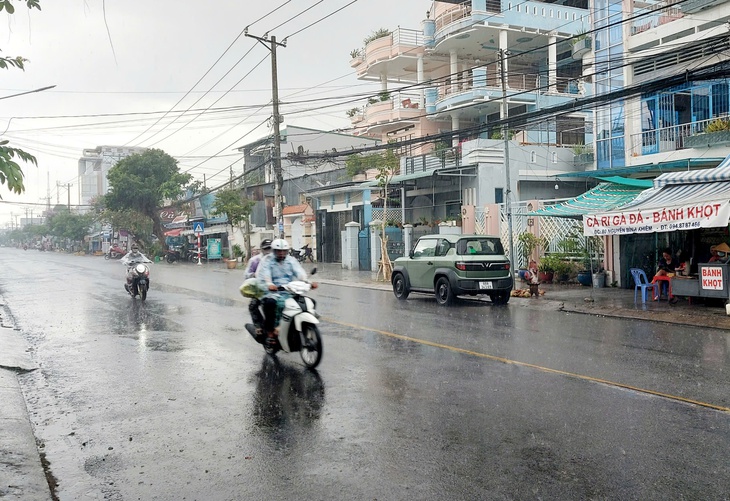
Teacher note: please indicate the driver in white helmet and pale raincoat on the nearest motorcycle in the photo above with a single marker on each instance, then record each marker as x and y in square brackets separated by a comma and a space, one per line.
[278, 269]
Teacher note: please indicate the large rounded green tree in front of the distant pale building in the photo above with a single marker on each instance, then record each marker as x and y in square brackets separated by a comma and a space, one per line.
[142, 183]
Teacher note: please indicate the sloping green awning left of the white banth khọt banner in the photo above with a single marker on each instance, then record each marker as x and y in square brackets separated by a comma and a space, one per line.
[602, 198]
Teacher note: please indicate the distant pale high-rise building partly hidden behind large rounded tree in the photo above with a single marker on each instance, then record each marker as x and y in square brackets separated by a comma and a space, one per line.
[94, 166]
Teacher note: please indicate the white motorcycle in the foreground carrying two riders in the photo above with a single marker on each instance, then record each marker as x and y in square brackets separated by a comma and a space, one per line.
[298, 329]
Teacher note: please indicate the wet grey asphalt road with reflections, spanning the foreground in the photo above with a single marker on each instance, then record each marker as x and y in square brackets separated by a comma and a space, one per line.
[170, 399]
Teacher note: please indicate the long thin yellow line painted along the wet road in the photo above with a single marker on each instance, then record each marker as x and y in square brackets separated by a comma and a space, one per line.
[533, 366]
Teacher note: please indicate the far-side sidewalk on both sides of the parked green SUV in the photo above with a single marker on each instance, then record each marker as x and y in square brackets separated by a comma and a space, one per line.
[606, 301]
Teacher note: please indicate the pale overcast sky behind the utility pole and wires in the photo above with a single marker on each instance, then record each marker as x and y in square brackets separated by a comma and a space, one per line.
[136, 57]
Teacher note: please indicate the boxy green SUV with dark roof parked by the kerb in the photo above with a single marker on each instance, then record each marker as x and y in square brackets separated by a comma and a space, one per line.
[454, 265]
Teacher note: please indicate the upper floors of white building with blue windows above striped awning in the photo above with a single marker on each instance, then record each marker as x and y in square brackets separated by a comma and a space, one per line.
[681, 50]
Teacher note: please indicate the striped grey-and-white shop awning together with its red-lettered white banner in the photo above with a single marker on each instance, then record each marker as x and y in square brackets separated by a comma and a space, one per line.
[670, 208]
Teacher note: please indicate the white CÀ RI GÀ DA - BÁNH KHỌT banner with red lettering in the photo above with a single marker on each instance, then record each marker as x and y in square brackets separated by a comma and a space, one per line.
[683, 217]
